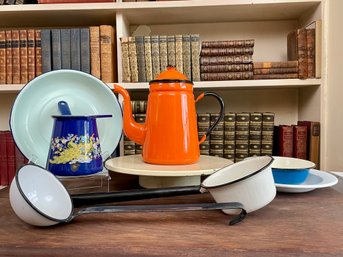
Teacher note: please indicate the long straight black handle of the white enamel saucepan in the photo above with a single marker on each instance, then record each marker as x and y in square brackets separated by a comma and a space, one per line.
[131, 195]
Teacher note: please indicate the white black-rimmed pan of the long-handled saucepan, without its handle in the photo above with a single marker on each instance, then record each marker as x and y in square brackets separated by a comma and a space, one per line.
[249, 182]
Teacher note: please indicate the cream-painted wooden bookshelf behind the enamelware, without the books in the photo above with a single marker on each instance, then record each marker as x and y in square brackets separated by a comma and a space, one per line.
[267, 21]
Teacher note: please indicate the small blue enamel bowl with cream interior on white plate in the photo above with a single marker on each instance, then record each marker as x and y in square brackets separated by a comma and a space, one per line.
[289, 170]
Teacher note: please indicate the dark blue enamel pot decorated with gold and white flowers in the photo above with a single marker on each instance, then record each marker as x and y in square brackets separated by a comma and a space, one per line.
[75, 145]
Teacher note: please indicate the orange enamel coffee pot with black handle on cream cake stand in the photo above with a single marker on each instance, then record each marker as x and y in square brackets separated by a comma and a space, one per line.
[169, 134]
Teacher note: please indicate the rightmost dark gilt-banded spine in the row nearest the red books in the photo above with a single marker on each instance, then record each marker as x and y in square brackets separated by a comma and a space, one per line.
[268, 119]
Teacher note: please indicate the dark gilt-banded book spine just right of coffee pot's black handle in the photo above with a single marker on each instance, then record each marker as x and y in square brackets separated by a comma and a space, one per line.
[229, 136]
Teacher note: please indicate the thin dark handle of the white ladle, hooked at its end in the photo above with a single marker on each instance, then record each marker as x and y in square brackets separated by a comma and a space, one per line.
[166, 208]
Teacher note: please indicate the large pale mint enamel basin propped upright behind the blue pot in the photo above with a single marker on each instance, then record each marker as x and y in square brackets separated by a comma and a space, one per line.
[31, 119]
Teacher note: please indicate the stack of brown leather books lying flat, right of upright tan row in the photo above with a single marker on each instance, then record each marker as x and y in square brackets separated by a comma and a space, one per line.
[227, 60]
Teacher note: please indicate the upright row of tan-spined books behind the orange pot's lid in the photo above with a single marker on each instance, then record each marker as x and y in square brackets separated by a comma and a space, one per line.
[145, 57]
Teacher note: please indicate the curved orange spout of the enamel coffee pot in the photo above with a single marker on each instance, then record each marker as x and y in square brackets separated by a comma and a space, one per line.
[132, 129]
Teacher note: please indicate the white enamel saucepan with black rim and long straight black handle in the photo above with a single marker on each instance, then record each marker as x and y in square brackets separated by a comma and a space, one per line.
[249, 182]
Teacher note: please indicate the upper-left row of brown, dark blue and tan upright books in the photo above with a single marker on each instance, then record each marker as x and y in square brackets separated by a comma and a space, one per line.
[27, 53]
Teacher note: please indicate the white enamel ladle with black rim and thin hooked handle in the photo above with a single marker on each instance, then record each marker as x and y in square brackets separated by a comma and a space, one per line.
[40, 199]
